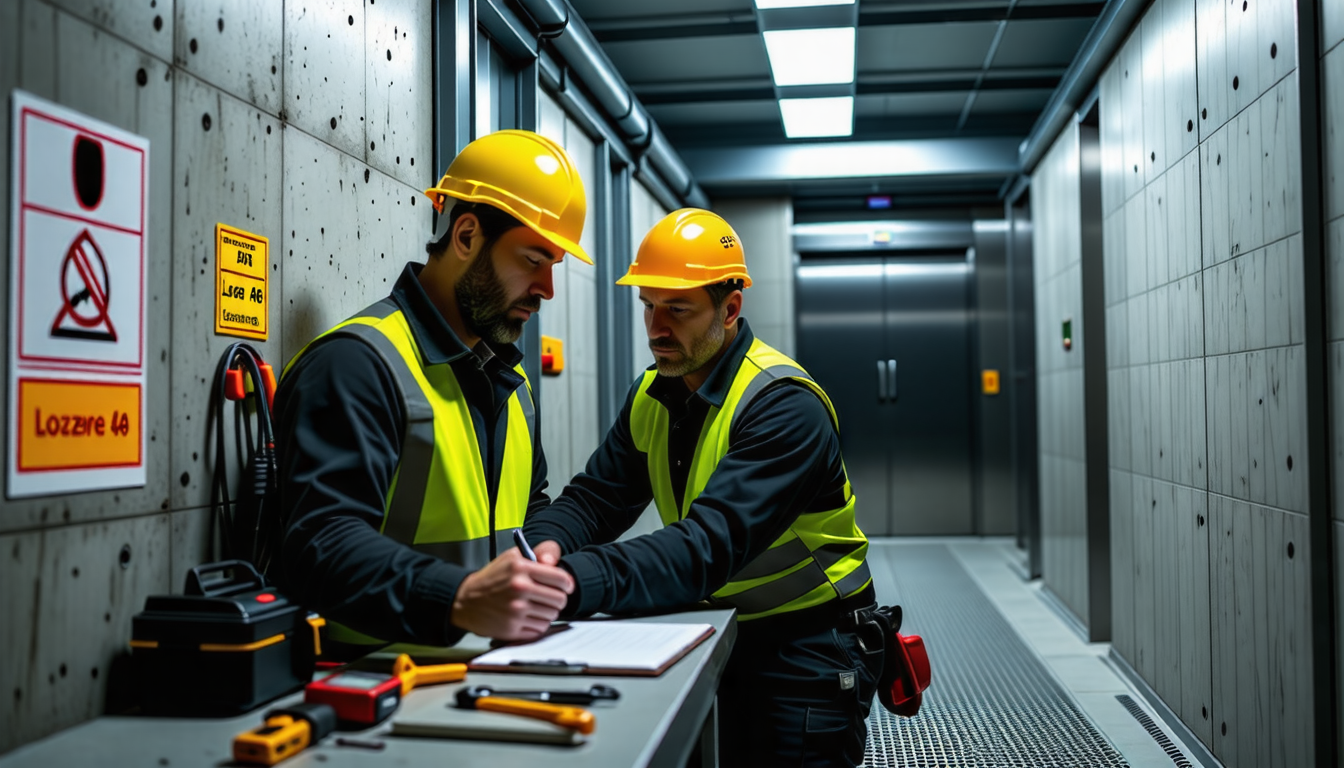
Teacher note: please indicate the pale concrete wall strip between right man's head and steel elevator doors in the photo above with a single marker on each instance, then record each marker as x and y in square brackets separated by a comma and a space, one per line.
[765, 228]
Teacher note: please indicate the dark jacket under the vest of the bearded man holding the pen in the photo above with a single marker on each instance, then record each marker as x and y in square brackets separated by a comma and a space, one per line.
[341, 422]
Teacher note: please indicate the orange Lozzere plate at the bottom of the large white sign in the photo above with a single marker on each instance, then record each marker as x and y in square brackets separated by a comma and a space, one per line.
[77, 426]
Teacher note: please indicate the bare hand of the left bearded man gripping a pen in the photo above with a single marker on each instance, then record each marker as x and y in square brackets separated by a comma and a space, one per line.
[513, 598]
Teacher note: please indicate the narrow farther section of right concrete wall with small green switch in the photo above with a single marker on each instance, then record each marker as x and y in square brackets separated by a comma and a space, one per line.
[1058, 283]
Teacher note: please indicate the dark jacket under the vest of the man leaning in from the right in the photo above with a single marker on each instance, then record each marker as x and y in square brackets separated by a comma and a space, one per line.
[784, 459]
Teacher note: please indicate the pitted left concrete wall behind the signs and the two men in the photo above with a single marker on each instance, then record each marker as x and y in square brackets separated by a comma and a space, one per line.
[311, 124]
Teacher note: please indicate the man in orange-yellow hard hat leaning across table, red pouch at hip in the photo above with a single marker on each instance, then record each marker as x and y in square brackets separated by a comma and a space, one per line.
[740, 450]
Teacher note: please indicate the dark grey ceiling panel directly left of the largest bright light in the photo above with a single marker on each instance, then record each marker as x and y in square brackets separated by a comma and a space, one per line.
[690, 60]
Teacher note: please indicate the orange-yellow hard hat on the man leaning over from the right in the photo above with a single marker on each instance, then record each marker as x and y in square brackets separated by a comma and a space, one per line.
[687, 249]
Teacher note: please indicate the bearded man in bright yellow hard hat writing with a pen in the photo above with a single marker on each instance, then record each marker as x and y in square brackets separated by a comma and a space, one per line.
[407, 435]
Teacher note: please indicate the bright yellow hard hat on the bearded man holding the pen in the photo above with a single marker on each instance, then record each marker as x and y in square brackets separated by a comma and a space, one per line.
[525, 176]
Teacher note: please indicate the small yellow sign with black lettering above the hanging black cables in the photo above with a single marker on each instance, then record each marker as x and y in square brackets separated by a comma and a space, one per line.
[241, 283]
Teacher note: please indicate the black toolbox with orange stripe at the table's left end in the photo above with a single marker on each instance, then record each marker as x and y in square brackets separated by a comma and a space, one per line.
[228, 646]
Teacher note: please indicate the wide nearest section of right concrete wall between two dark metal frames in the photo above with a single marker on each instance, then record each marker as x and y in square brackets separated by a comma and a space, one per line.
[1204, 254]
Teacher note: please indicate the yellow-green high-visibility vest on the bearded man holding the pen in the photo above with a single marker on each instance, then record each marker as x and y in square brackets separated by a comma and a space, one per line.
[439, 501]
